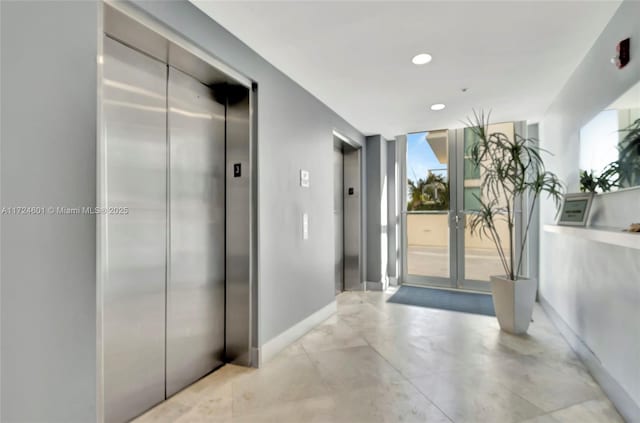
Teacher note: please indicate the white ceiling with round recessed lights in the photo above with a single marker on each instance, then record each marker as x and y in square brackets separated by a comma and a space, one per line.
[513, 57]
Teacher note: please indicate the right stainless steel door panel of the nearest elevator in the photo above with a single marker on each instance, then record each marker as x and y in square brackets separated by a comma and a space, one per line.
[196, 283]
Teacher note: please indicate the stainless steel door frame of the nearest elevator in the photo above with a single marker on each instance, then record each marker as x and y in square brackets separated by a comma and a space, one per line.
[128, 25]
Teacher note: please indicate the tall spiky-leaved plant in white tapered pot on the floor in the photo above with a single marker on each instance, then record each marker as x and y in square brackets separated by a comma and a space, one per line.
[512, 175]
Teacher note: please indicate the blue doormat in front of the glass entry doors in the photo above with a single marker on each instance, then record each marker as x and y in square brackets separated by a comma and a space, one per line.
[466, 302]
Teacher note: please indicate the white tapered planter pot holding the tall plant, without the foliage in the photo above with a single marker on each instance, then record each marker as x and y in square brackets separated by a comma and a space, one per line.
[513, 302]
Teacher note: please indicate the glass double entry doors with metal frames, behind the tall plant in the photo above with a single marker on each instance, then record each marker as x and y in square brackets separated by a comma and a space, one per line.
[440, 192]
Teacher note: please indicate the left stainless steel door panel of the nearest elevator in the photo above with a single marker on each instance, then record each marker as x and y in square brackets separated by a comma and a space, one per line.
[134, 124]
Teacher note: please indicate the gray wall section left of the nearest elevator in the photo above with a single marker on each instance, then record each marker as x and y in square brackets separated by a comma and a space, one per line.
[48, 158]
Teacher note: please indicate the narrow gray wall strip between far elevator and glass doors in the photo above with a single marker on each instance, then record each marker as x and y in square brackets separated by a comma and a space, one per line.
[376, 211]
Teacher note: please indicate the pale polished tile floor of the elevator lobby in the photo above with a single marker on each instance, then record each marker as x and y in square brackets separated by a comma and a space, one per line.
[380, 362]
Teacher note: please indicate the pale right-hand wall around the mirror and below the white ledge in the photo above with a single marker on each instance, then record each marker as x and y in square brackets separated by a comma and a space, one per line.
[594, 288]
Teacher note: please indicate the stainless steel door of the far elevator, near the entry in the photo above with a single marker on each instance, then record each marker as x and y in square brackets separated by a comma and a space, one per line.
[338, 217]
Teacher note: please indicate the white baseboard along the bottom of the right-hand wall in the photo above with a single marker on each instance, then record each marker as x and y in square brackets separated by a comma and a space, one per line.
[616, 393]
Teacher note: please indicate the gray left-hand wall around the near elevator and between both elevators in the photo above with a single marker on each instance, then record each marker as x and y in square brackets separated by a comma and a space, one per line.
[48, 157]
